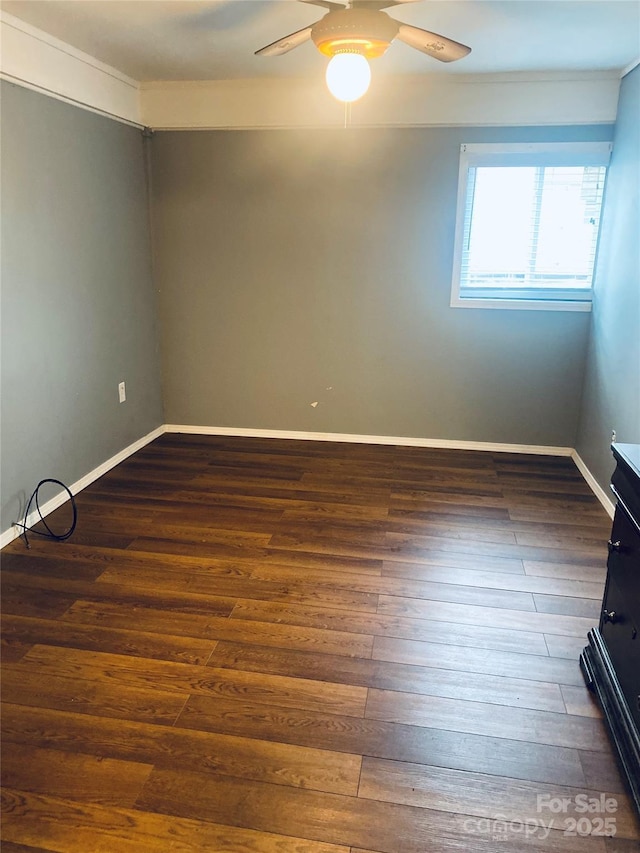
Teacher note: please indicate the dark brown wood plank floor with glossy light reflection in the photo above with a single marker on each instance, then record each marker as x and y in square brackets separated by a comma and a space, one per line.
[266, 646]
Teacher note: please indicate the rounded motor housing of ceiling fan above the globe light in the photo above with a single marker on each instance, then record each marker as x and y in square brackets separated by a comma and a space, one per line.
[360, 31]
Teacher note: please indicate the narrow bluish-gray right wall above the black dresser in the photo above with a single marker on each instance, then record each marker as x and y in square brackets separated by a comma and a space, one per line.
[611, 397]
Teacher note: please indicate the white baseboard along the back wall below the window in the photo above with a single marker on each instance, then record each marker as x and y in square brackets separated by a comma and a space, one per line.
[404, 441]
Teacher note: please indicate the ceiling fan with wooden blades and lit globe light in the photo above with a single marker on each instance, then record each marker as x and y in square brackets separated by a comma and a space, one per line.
[352, 33]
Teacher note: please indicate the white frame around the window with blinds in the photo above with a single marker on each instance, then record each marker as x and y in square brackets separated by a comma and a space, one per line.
[518, 154]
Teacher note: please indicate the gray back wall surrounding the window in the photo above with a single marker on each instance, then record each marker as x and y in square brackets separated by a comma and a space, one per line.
[290, 262]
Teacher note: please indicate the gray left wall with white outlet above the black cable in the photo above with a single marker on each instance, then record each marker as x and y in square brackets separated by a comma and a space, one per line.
[78, 307]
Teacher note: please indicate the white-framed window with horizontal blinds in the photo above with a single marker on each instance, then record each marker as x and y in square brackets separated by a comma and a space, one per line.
[527, 225]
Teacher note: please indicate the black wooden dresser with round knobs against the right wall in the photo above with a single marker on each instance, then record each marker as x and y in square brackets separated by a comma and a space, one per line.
[611, 661]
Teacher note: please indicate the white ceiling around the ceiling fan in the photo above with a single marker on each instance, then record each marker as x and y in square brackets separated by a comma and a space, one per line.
[216, 39]
